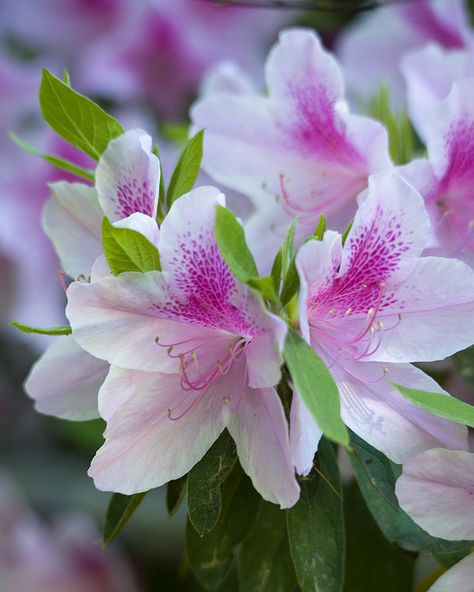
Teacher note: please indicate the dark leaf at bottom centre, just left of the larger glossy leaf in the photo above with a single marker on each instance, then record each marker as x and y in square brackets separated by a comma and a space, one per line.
[265, 561]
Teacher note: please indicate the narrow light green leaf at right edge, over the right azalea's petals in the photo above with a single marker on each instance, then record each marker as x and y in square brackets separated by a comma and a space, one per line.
[440, 405]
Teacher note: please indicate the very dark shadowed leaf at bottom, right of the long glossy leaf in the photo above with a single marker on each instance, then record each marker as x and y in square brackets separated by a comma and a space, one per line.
[372, 563]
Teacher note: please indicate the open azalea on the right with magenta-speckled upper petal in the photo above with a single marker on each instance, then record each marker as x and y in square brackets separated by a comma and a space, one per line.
[370, 307]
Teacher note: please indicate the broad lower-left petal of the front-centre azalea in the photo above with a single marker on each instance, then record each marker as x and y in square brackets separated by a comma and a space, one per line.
[146, 445]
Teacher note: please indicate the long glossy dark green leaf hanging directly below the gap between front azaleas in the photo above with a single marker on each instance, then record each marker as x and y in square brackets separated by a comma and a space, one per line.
[316, 526]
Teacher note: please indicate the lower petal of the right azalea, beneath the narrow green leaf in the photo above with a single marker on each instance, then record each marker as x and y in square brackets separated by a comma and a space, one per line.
[376, 412]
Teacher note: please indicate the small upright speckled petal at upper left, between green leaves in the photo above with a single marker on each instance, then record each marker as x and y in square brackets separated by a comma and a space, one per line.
[128, 177]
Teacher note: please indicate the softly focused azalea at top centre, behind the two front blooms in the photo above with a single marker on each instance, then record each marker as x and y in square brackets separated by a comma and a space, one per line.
[297, 152]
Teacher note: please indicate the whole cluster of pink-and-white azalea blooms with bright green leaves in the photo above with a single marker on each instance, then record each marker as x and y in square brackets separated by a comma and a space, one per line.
[186, 323]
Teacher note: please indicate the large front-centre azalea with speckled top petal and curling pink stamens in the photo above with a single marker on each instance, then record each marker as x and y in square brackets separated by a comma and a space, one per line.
[192, 352]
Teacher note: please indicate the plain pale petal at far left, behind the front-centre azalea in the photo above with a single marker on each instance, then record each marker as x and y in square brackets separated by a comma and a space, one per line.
[65, 381]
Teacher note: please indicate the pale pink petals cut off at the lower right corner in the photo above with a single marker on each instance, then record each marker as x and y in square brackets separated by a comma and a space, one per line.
[436, 490]
